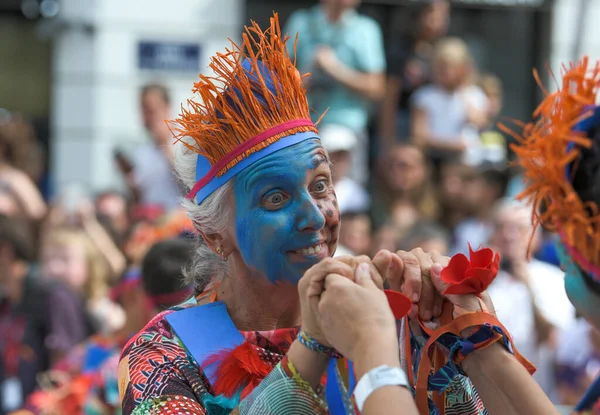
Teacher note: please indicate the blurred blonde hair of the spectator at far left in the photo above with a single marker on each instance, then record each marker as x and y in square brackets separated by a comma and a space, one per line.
[96, 285]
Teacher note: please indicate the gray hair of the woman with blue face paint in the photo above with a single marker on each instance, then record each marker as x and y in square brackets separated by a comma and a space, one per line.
[209, 217]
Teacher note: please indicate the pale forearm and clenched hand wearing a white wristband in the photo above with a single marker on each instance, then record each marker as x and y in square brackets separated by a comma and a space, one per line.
[357, 320]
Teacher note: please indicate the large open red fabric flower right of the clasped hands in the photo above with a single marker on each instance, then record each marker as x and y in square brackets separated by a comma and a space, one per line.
[471, 276]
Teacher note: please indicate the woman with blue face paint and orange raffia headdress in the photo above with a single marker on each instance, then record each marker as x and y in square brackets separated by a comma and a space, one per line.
[261, 196]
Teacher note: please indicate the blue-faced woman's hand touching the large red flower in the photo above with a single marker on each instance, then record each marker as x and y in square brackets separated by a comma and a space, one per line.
[412, 278]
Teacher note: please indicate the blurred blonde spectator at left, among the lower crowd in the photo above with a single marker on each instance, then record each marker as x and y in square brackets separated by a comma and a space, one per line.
[69, 256]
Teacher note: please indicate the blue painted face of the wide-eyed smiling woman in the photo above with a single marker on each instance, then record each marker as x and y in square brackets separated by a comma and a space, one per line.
[287, 217]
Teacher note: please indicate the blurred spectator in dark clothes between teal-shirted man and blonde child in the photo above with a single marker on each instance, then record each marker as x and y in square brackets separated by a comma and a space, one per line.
[410, 67]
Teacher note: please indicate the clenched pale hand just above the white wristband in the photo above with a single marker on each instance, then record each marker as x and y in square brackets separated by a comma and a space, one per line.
[355, 315]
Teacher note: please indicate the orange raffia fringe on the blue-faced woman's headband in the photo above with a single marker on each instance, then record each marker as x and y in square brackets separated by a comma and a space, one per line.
[228, 112]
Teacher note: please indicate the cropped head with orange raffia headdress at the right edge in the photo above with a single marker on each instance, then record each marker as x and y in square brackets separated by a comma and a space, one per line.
[560, 154]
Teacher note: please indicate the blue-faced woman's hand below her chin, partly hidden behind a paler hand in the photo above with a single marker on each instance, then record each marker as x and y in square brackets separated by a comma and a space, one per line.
[311, 287]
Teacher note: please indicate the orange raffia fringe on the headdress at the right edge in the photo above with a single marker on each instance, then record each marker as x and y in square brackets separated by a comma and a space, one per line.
[543, 152]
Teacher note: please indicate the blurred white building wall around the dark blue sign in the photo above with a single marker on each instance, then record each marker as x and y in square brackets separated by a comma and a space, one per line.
[95, 105]
